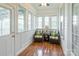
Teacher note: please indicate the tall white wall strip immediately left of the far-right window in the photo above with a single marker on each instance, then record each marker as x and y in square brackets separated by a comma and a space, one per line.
[66, 41]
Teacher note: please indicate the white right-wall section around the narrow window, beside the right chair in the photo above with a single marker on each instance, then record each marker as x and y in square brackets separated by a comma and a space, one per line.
[62, 32]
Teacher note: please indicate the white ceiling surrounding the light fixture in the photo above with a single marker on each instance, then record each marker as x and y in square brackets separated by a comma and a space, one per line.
[51, 6]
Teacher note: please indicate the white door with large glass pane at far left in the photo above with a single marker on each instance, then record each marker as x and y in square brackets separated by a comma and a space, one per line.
[6, 30]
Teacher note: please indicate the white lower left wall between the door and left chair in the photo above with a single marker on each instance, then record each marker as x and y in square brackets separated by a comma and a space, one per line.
[24, 40]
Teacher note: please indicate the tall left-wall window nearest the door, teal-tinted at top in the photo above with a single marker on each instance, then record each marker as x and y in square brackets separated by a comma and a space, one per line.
[21, 14]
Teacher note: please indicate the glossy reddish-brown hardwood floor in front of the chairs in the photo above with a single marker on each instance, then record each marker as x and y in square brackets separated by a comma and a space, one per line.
[42, 49]
